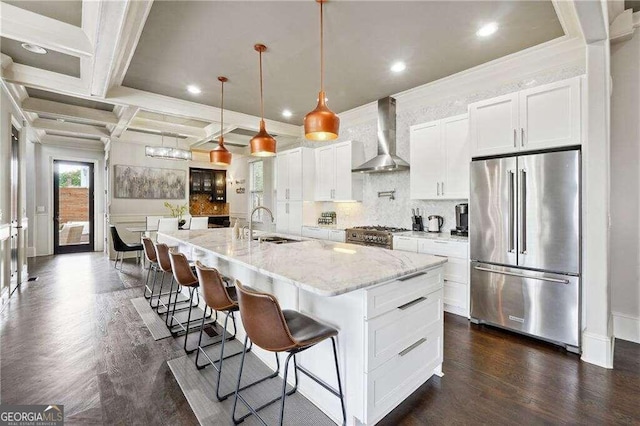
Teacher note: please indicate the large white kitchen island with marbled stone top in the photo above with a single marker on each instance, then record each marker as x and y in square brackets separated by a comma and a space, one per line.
[387, 306]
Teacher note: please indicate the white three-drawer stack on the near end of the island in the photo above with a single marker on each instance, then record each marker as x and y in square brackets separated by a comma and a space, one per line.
[404, 340]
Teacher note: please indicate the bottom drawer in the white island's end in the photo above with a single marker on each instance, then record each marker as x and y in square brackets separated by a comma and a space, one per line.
[392, 382]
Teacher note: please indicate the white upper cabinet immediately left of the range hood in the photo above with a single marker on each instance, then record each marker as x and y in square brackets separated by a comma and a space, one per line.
[334, 179]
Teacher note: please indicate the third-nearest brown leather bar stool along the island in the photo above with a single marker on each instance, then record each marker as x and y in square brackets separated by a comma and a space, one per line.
[183, 275]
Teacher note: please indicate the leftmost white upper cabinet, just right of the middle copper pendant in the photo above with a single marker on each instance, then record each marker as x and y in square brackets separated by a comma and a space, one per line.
[295, 175]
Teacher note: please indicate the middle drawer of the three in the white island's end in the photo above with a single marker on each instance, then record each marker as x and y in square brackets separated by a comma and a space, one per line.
[390, 334]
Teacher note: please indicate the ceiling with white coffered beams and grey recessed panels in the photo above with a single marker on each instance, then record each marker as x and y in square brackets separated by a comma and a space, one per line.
[120, 69]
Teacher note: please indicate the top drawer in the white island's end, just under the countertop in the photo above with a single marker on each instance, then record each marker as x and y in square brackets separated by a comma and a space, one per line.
[401, 292]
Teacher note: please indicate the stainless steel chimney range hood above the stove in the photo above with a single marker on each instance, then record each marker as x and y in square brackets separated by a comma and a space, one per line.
[386, 160]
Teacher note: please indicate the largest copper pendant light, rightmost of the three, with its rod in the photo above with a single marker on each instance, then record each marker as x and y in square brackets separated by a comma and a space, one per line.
[321, 124]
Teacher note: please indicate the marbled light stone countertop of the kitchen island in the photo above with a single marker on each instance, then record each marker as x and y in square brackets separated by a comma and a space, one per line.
[325, 268]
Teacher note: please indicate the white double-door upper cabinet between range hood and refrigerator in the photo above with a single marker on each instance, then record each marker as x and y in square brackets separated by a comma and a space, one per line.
[440, 159]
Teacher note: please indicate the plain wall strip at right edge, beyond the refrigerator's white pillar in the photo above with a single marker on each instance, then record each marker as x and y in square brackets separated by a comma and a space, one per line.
[625, 188]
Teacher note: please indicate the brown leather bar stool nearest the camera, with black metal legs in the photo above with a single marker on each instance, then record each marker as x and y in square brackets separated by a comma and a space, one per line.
[275, 330]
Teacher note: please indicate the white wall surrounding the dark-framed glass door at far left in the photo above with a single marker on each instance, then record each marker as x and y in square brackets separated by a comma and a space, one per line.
[43, 166]
